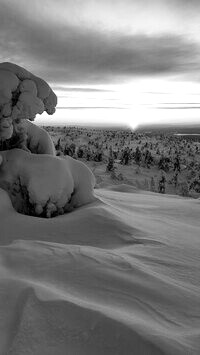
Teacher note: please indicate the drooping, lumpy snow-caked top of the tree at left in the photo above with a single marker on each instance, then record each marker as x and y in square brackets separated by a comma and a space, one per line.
[22, 96]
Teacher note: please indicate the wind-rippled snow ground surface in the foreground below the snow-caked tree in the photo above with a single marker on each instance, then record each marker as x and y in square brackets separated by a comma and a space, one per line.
[117, 276]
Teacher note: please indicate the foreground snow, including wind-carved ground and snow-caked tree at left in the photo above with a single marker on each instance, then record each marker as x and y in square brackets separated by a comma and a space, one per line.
[117, 274]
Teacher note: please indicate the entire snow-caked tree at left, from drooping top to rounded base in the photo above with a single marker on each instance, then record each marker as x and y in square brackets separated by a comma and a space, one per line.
[38, 182]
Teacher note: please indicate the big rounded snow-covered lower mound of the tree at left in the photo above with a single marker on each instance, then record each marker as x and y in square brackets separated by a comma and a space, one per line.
[45, 185]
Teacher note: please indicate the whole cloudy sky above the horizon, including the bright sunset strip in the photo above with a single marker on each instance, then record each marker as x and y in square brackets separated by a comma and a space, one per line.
[110, 62]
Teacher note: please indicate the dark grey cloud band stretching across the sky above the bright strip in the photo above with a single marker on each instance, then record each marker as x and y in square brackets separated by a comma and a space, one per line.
[66, 53]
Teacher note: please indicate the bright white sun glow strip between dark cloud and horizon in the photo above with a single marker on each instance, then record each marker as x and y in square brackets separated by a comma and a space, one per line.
[140, 102]
